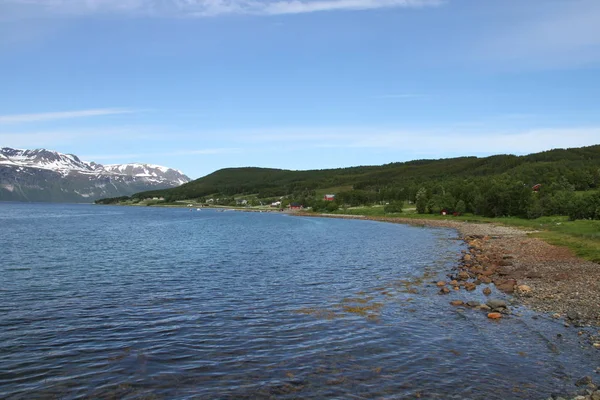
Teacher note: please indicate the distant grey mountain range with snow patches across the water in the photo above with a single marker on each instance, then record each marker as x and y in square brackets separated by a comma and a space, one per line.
[49, 176]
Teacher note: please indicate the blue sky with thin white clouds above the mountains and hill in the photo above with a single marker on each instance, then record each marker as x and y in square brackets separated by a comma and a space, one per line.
[201, 85]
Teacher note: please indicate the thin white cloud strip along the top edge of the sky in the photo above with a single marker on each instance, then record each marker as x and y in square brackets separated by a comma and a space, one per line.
[203, 8]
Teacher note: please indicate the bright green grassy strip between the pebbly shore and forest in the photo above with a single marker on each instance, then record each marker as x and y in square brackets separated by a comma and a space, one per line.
[581, 236]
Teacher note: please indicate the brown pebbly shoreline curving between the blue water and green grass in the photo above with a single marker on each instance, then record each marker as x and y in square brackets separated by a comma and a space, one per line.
[546, 278]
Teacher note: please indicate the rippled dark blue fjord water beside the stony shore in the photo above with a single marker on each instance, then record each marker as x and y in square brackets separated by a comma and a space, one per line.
[124, 302]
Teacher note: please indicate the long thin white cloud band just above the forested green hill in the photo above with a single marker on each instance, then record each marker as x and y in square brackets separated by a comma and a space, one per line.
[436, 141]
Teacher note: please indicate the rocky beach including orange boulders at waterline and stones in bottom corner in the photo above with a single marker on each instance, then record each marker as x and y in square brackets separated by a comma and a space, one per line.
[545, 278]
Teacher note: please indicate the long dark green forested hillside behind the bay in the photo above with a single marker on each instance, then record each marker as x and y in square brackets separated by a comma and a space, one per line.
[568, 183]
